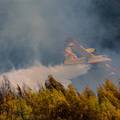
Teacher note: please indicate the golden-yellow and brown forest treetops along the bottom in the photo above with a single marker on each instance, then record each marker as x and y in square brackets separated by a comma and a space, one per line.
[54, 102]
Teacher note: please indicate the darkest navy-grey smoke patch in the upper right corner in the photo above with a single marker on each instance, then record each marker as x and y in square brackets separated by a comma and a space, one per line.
[108, 12]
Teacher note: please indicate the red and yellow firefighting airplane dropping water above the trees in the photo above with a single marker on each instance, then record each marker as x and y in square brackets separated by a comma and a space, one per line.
[77, 54]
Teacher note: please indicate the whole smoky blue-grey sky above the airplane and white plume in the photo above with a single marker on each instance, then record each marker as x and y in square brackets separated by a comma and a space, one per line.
[36, 30]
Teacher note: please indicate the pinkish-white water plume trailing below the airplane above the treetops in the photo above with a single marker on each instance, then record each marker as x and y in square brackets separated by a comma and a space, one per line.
[35, 77]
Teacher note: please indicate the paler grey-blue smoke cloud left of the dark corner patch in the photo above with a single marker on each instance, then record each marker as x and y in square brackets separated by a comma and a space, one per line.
[38, 29]
